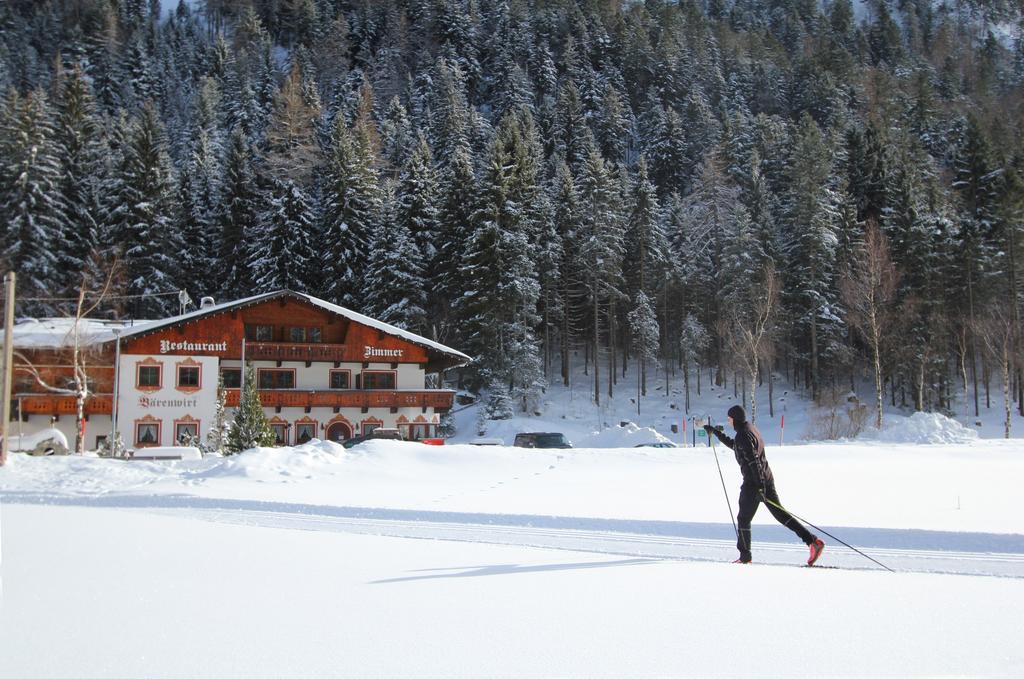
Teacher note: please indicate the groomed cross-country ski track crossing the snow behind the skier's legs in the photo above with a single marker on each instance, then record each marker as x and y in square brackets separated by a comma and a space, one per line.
[902, 550]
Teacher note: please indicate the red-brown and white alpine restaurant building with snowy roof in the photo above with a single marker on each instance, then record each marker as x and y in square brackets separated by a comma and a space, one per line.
[323, 372]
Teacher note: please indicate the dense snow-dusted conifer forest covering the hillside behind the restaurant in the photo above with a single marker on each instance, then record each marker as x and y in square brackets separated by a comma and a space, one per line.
[827, 193]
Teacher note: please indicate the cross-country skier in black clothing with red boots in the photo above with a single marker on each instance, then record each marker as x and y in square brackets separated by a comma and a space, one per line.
[759, 486]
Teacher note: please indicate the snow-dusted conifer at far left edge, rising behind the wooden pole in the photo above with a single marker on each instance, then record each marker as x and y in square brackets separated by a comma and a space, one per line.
[33, 208]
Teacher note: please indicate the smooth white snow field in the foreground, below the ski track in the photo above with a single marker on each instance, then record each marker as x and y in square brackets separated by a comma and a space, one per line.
[131, 595]
